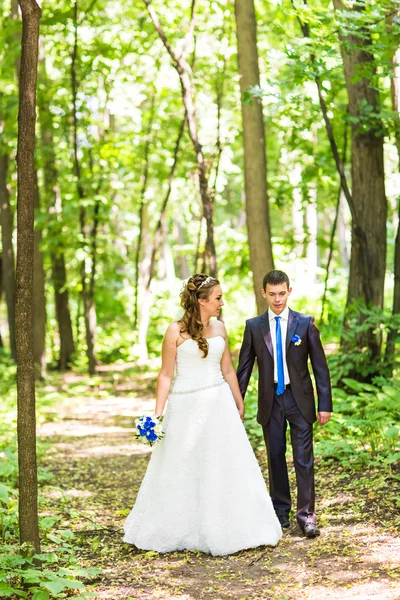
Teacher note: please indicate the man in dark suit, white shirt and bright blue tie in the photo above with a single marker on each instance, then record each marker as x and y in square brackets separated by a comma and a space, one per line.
[282, 340]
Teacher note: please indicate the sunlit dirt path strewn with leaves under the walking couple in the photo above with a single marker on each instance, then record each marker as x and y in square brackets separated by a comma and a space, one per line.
[98, 467]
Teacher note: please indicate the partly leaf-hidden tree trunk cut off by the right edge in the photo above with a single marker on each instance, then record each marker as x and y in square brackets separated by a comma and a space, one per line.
[395, 96]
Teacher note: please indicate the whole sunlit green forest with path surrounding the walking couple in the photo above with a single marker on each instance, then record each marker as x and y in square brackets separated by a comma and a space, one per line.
[142, 142]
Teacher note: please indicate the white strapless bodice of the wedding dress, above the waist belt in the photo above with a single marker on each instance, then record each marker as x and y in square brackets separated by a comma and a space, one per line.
[192, 370]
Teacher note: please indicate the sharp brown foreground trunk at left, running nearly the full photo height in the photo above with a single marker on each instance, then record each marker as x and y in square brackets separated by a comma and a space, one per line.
[26, 424]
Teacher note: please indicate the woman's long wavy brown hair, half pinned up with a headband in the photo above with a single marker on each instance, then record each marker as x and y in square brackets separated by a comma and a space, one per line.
[197, 286]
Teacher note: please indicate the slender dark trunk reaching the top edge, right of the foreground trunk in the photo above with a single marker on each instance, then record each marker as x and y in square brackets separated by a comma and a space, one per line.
[88, 306]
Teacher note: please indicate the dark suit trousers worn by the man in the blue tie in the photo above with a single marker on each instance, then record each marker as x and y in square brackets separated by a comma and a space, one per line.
[301, 433]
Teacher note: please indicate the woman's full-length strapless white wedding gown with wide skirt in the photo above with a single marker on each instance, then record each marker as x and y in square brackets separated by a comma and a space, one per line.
[203, 487]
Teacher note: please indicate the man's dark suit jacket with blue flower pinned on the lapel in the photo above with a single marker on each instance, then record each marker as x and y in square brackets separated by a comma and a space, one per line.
[257, 344]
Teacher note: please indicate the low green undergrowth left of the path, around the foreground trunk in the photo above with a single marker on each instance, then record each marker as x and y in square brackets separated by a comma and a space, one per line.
[55, 573]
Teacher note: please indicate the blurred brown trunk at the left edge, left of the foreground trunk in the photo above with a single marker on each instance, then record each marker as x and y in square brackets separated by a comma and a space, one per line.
[8, 251]
